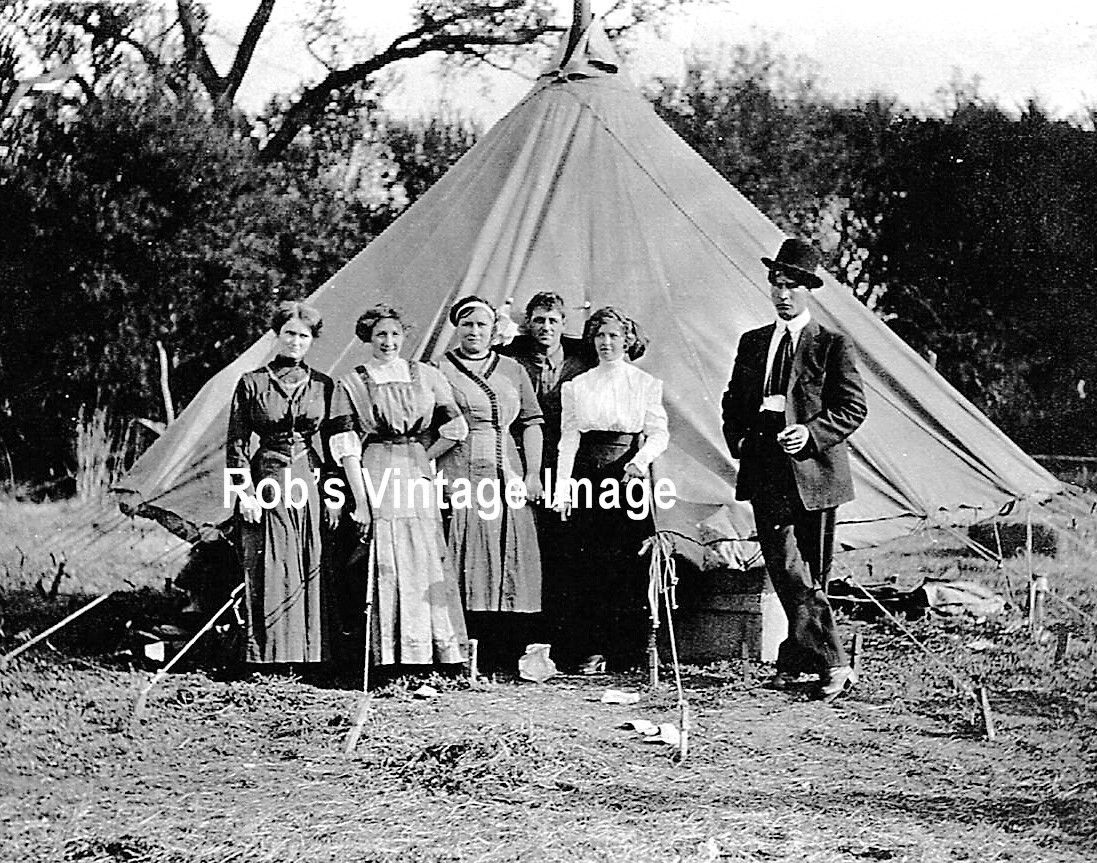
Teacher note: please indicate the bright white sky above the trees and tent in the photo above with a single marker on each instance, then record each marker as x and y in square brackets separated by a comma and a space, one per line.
[910, 50]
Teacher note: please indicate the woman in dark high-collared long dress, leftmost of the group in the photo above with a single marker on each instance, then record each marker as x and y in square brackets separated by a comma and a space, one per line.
[284, 404]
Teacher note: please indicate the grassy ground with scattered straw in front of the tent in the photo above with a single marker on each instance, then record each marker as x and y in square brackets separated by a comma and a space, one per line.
[253, 769]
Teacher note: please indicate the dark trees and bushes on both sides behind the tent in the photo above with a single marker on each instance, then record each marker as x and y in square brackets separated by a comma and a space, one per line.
[144, 217]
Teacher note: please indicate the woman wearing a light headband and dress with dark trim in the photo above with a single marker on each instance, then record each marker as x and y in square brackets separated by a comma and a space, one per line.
[494, 543]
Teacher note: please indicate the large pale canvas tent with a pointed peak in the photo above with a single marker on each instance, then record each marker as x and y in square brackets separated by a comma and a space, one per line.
[583, 190]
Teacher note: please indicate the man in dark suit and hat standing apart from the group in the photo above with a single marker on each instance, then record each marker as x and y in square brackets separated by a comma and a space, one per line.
[794, 400]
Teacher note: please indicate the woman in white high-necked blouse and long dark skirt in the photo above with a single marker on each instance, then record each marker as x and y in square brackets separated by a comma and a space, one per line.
[613, 427]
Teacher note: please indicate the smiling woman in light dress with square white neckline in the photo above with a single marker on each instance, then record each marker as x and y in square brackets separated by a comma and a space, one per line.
[393, 416]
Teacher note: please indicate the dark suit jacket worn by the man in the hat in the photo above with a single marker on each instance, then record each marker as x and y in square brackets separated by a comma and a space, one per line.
[824, 394]
